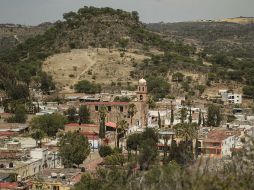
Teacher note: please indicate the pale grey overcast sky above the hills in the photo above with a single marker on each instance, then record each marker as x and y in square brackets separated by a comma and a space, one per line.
[33, 12]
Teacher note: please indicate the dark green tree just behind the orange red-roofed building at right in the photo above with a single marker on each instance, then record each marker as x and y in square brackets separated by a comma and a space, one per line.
[214, 116]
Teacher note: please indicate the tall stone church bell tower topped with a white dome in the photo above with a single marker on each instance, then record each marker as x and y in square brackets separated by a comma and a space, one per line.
[142, 102]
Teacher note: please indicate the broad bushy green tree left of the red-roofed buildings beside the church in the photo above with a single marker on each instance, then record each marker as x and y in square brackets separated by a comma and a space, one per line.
[49, 124]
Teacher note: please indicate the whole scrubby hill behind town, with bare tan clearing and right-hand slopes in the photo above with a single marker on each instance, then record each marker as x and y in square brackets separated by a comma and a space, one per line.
[112, 47]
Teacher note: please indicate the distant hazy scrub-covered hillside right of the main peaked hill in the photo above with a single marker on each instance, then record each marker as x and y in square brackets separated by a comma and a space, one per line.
[213, 37]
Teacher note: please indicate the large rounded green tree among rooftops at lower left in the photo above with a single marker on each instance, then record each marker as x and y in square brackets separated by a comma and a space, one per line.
[74, 149]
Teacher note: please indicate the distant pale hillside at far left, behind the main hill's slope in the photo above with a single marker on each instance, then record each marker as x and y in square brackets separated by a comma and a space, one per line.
[12, 35]
